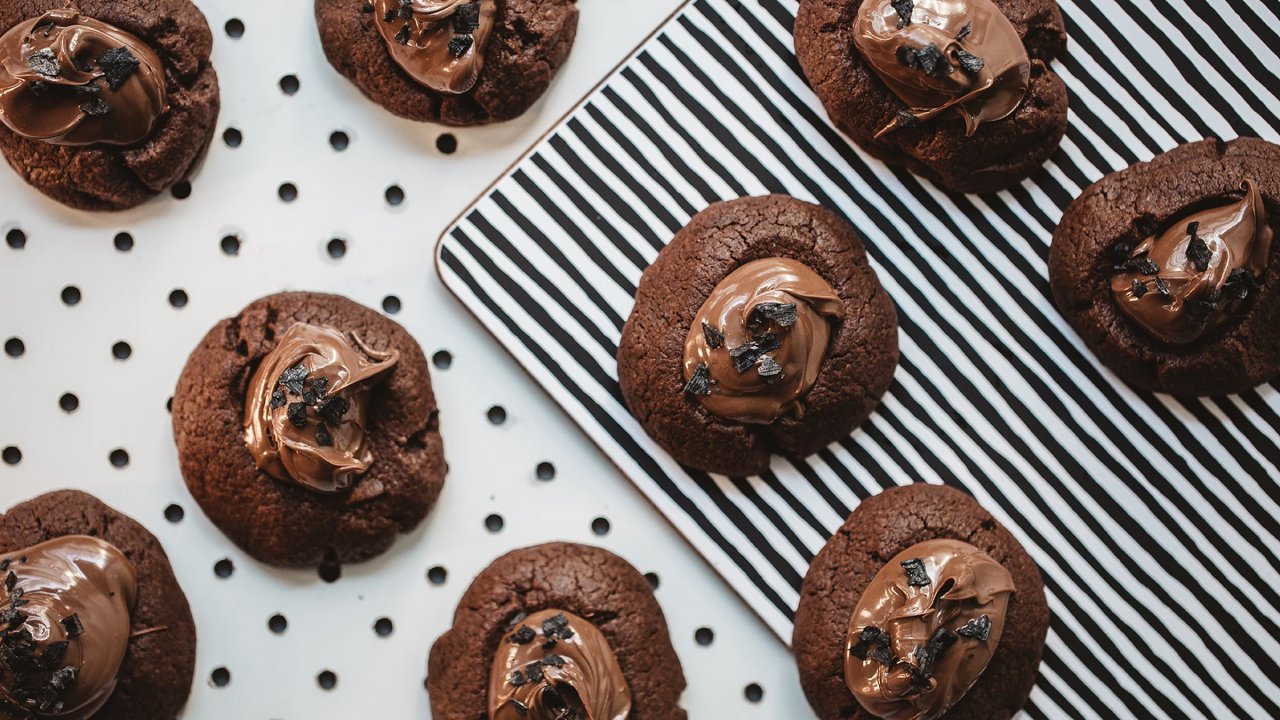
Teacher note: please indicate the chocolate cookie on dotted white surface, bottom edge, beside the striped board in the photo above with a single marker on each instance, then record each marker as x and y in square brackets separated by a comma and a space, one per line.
[552, 630]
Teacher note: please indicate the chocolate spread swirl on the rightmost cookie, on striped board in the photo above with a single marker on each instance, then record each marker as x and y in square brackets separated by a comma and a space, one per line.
[1190, 279]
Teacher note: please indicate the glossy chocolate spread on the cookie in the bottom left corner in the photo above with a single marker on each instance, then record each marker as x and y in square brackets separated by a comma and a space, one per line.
[66, 627]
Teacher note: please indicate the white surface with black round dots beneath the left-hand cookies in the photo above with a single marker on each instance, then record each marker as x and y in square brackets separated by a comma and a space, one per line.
[310, 186]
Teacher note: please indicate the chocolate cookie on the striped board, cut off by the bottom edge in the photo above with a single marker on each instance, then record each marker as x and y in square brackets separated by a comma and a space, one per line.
[915, 545]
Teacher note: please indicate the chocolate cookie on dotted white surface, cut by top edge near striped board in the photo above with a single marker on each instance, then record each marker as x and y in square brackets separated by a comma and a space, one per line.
[450, 62]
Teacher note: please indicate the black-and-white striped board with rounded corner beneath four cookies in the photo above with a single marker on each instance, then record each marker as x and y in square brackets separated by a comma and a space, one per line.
[1155, 521]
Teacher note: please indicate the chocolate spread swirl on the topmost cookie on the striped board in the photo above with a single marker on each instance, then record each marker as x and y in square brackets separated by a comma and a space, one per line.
[941, 54]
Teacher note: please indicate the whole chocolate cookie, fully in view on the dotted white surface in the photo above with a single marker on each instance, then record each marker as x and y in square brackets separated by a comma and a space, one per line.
[308, 431]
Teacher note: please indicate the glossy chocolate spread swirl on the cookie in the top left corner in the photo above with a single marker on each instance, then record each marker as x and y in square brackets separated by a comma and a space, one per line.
[67, 79]
